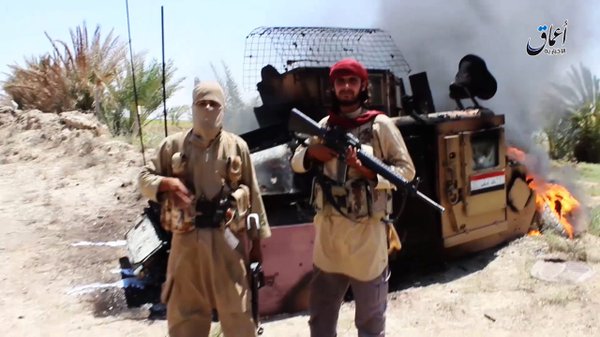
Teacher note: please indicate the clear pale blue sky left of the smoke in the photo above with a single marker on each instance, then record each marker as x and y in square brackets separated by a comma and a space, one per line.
[196, 32]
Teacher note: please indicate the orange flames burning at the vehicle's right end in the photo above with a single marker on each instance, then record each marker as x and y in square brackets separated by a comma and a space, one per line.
[558, 199]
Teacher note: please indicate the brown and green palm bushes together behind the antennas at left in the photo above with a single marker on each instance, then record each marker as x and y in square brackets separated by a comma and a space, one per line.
[91, 73]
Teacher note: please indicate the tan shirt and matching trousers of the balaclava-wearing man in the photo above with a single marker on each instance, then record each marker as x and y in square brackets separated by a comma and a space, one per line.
[204, 271]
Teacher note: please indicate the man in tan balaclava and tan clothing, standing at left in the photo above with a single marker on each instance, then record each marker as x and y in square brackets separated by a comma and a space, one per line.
[207, 186]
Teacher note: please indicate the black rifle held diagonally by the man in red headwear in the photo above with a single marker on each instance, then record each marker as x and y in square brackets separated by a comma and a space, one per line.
[339, 140]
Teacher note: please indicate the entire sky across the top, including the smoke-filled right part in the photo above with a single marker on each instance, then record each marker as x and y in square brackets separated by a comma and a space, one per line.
[432, 34]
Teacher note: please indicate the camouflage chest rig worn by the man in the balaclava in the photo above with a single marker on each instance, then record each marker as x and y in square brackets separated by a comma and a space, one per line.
[228, 208]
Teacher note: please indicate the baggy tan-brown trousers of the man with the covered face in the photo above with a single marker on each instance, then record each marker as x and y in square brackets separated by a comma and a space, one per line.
[203, 273]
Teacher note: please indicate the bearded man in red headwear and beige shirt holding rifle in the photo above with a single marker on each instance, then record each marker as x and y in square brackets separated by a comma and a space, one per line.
[352, 204]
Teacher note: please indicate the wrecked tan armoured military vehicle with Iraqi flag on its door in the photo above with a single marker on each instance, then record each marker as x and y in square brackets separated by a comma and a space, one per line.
[460, 159]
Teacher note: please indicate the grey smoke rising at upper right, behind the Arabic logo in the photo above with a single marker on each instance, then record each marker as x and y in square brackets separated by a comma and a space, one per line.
[434, 35]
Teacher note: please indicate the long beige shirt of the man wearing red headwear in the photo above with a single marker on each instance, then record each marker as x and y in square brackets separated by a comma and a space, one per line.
[357, 248]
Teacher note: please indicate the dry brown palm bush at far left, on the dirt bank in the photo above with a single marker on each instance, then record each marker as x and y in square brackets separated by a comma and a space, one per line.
[69, 78]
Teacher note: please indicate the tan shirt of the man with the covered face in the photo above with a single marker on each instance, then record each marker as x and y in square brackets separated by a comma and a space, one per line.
[206, 170]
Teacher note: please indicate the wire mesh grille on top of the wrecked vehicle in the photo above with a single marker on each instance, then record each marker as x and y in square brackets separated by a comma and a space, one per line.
[286, 48]
